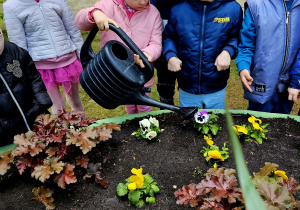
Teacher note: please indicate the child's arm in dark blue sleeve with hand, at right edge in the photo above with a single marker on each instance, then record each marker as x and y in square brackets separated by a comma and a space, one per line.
[294, 87]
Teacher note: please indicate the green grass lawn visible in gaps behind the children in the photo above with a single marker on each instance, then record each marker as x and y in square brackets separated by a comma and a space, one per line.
[234, 93]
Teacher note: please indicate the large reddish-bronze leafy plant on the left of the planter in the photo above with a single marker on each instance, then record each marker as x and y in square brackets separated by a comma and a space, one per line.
[55, 148]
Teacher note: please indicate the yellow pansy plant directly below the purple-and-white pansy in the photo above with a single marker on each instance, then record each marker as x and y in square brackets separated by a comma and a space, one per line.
[213, 151]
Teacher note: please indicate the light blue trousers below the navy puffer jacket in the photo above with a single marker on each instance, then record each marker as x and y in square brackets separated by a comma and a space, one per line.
[206, 101]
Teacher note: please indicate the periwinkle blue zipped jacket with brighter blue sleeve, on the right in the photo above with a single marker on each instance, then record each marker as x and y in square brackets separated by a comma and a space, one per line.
[269, 45]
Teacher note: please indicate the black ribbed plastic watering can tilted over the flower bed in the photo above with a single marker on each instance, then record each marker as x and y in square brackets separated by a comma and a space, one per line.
[111, 77]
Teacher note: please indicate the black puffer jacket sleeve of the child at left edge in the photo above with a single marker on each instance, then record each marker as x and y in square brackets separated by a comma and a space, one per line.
[36, 86]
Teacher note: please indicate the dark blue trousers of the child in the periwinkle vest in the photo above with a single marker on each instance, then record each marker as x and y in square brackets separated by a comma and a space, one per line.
[279, 103]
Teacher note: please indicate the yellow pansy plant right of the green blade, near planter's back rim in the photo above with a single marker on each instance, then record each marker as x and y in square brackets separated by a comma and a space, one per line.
[253, 131]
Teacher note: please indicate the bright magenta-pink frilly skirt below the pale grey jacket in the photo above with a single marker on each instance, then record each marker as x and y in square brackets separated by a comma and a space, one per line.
[63, 76]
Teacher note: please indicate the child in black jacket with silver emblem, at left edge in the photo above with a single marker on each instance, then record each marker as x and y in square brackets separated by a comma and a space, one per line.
[23, 95]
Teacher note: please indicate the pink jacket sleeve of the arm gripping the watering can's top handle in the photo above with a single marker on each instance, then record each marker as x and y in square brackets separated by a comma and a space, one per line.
[82, 17]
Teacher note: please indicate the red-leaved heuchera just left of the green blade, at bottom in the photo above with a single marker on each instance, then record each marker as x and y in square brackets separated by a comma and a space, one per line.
[217, 191]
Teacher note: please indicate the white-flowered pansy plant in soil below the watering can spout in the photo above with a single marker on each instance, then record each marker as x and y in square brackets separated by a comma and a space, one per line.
[149, 128]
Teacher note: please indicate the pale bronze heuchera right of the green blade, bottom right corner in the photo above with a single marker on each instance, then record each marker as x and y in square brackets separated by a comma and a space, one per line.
[276, 188]
